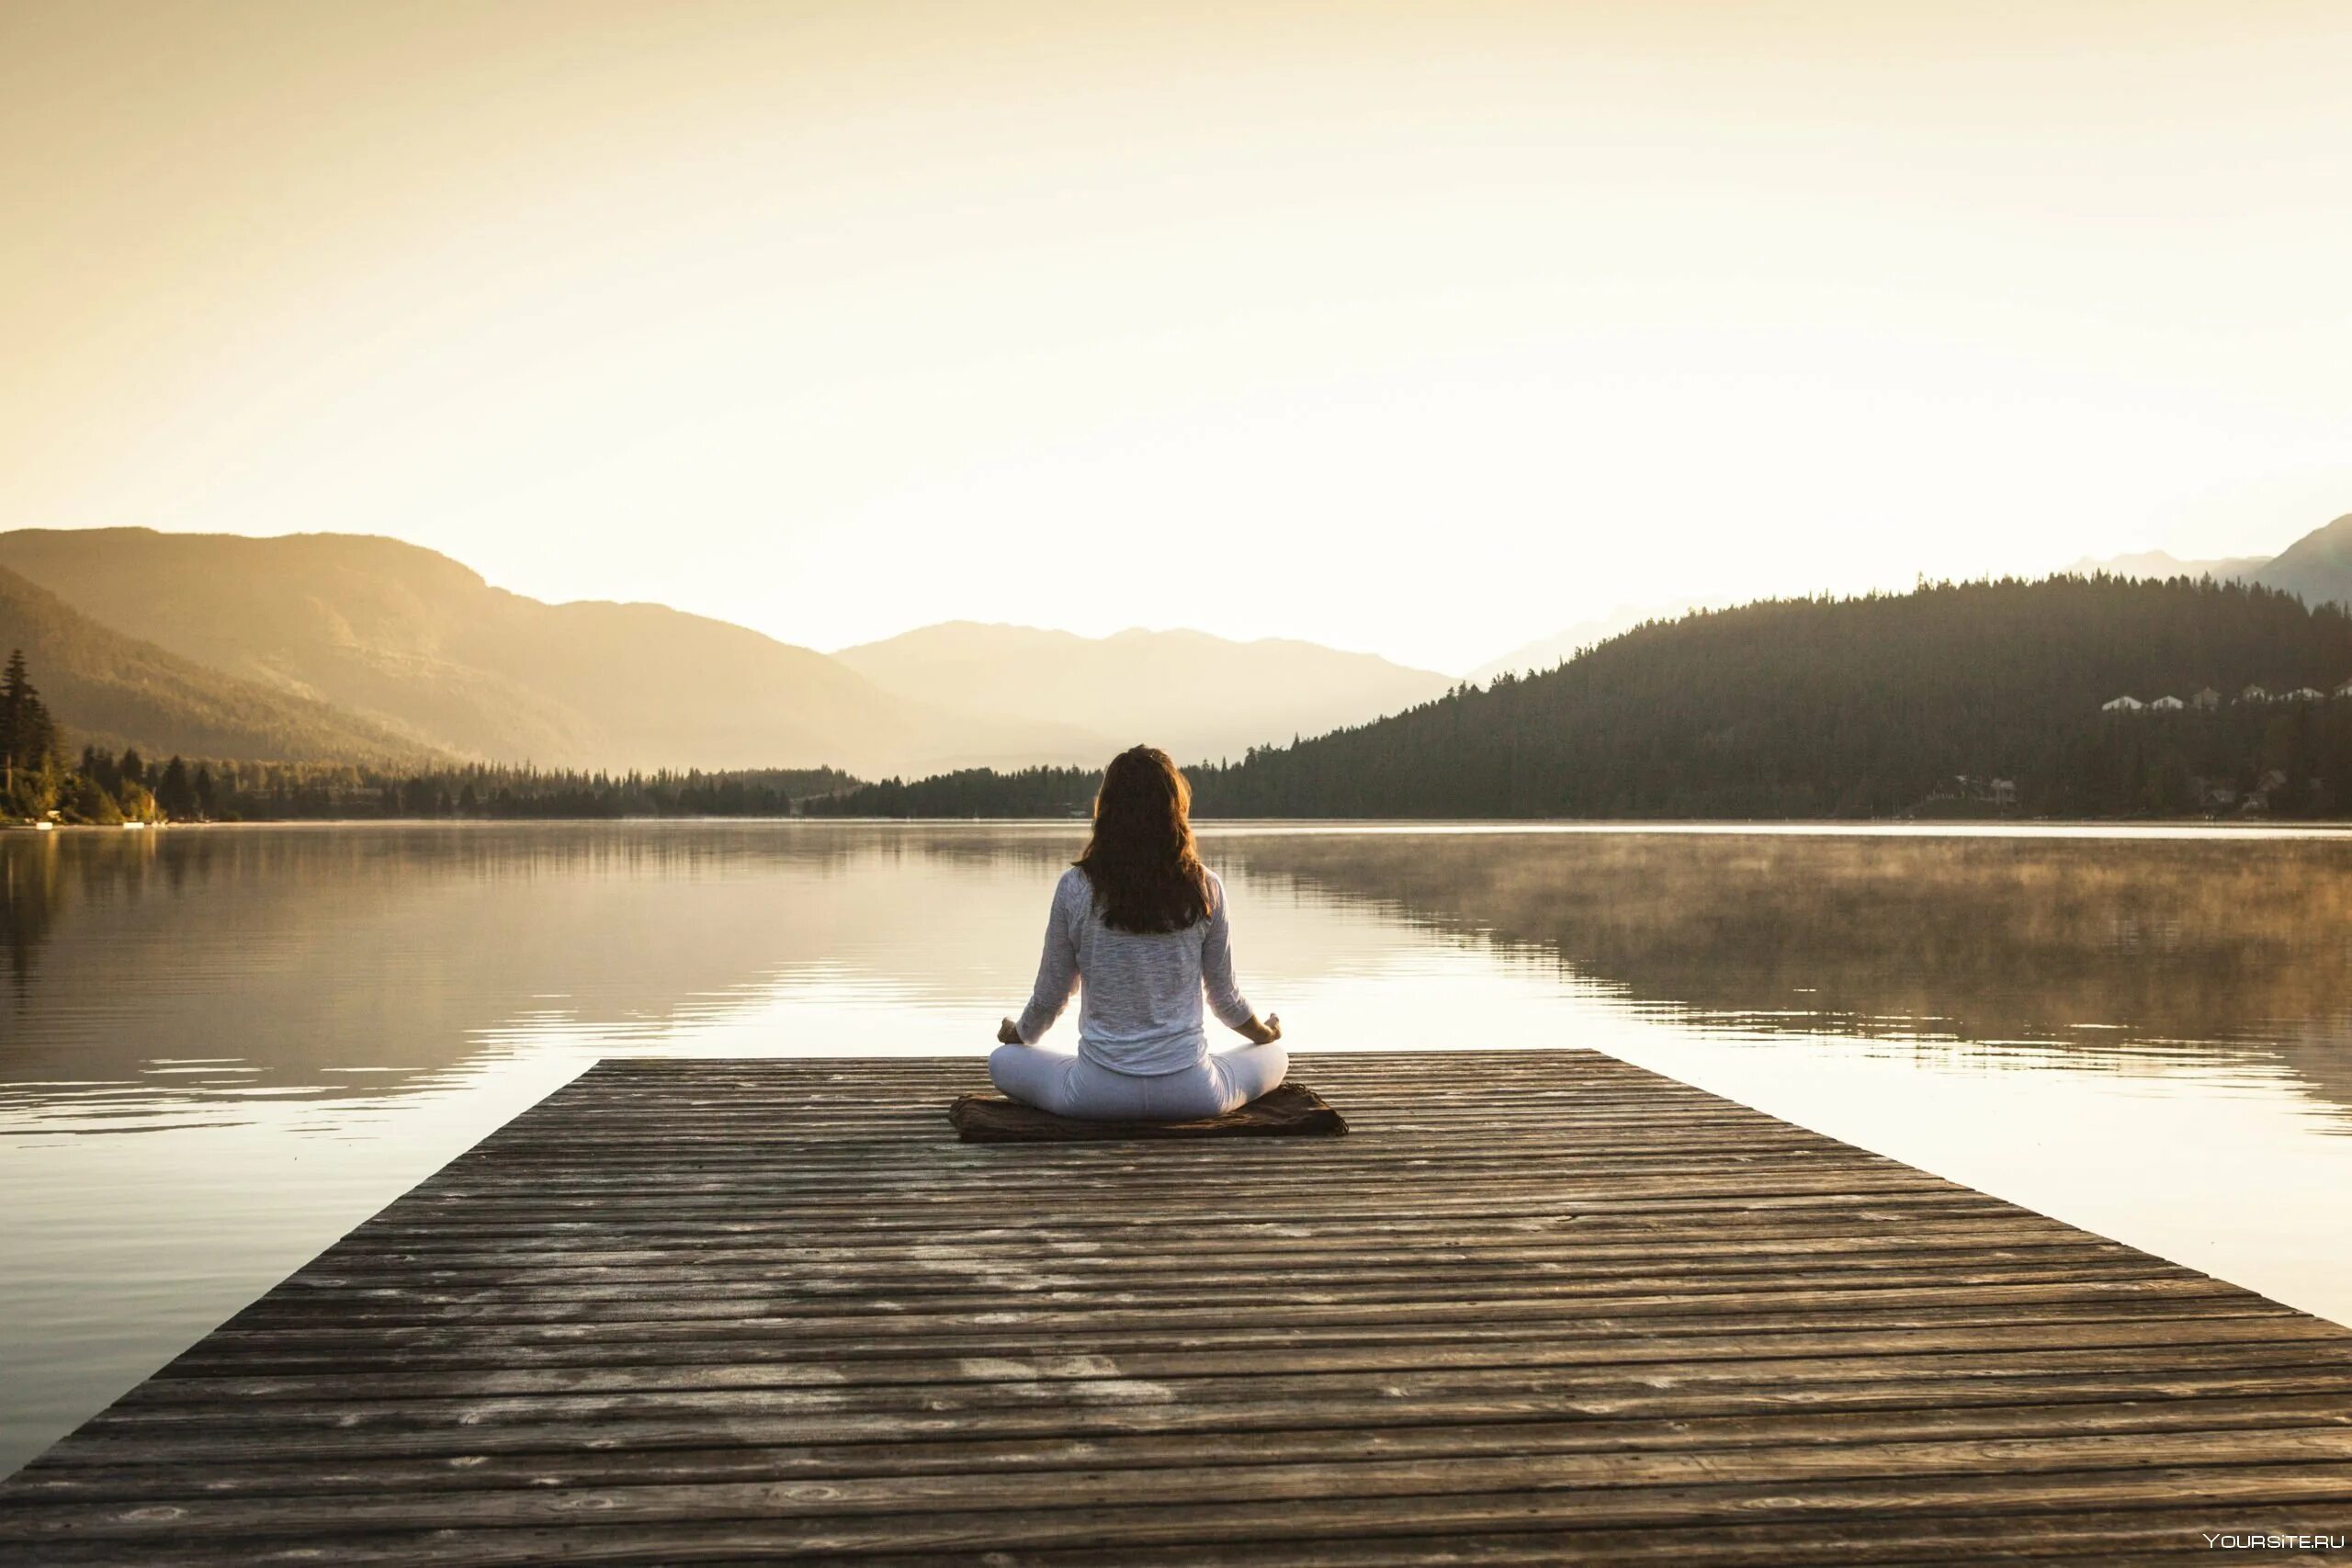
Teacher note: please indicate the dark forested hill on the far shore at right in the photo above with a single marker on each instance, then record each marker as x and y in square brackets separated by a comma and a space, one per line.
[1810, 709]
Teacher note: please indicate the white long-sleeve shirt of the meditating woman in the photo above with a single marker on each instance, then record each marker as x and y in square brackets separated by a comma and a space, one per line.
[1142, 993]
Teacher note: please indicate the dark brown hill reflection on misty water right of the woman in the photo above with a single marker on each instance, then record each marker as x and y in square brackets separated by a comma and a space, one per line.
[2127, 951]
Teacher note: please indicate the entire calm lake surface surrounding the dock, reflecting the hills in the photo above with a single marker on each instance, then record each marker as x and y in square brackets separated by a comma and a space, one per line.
[225, 1047]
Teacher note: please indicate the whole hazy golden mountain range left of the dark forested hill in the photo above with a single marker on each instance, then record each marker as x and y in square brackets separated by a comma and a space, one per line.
[359, 648]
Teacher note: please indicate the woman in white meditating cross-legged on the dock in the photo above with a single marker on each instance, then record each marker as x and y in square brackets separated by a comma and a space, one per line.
[1140, 927]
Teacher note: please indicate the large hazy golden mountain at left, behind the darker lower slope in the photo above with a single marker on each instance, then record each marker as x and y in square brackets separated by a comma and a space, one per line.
[425, 648]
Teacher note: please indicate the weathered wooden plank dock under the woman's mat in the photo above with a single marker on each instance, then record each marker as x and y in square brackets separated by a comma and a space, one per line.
[1537, 1308]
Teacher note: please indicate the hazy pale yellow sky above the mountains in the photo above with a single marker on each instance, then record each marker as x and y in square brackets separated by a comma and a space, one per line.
[1408, 328]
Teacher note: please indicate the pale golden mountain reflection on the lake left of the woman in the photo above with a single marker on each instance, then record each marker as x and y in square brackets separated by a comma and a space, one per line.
[182, 972]
